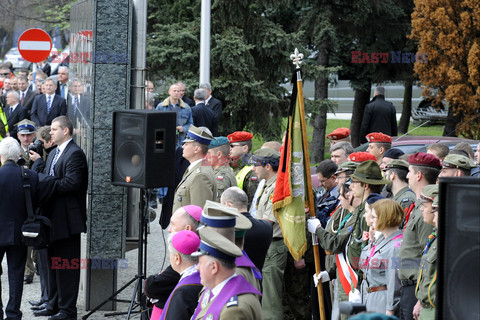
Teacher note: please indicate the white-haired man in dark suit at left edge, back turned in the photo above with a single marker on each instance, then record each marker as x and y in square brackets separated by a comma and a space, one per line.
[13, 213]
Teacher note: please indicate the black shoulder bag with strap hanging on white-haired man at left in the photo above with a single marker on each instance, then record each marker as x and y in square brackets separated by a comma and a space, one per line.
[37, 229]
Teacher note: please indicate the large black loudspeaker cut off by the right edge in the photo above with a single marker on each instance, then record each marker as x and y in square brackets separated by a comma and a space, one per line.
[458, 275]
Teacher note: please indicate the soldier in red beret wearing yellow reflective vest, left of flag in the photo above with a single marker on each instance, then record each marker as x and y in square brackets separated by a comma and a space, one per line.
[240, 154]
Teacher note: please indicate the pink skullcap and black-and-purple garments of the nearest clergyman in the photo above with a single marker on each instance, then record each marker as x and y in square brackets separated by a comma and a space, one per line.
[184, 298]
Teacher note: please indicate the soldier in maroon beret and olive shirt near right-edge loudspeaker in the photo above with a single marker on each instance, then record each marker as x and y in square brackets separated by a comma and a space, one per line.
[423, 170]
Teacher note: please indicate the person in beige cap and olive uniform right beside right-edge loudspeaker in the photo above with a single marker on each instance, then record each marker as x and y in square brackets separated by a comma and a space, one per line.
[425, 290]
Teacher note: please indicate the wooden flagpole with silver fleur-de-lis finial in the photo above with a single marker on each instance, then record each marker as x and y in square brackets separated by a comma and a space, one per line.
[297, 60]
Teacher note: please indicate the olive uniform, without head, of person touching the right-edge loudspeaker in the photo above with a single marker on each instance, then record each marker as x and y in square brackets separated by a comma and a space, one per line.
[425, 290]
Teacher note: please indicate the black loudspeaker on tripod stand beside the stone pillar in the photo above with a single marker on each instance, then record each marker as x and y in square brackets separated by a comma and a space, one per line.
[143, 152]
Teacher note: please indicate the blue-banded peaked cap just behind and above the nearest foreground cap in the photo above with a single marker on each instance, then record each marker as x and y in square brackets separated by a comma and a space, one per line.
[217, 215]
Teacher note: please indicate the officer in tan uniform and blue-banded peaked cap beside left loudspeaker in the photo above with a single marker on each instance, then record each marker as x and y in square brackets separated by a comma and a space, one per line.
[198, 183]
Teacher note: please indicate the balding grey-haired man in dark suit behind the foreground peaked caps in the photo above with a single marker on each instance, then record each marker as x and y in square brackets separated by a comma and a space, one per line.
[258, 238]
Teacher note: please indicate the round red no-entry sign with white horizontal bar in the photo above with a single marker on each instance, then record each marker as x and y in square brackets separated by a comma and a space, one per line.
[34, 45]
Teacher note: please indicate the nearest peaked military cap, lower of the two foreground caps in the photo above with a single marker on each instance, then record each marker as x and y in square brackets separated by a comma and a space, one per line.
[214, 244]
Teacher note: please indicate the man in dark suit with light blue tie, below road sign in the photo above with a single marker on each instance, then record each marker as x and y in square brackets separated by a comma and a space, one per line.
[48, 105]
